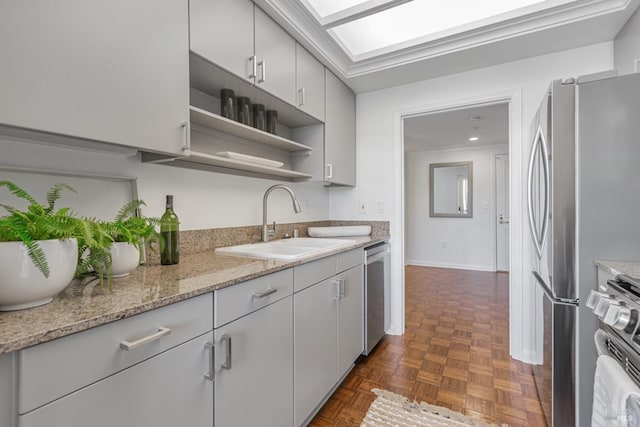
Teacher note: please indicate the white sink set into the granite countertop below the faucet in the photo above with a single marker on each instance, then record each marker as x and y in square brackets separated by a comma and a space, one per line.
[286, 249]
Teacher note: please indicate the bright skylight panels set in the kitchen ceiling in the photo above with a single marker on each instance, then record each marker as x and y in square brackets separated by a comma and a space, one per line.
[366, 28]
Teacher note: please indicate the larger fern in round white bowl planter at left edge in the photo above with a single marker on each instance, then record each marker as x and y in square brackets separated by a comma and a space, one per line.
[39, 248]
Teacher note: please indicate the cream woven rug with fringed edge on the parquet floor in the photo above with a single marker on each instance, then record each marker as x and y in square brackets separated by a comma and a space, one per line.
[392, 410]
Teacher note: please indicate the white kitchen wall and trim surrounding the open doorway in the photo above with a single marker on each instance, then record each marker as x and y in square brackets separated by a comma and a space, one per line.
[380, 157]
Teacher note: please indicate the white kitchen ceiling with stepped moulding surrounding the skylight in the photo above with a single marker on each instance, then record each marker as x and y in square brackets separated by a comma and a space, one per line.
[560, 25]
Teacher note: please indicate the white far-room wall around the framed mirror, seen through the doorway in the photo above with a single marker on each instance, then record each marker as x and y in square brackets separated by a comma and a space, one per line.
[467, 243]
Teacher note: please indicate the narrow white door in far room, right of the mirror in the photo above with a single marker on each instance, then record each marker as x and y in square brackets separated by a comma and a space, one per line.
[502, 212]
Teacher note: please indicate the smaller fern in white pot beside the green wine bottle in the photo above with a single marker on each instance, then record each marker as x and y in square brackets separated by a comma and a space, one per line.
[130, 231]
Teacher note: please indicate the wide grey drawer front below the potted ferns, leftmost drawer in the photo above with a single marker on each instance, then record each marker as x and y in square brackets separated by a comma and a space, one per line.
[54, 369]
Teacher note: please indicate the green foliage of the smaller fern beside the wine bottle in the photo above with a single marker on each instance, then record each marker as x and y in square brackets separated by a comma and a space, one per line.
[131, 227]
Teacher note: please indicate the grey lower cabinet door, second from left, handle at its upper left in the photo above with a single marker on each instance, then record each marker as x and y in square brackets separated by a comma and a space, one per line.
[254, 375]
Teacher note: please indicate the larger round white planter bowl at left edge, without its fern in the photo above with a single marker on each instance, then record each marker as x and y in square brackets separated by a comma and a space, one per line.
[22, 285]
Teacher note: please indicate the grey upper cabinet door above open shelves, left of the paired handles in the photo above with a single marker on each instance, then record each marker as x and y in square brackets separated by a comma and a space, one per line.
[222, 32]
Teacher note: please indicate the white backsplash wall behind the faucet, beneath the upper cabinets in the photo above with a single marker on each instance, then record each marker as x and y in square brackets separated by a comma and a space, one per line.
[201, 199]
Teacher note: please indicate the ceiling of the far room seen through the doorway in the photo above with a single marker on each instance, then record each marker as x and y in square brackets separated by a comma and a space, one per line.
[452, 129]
